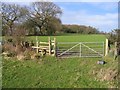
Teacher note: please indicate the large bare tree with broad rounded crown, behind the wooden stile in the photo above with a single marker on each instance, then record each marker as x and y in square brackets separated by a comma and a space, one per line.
[42, 13]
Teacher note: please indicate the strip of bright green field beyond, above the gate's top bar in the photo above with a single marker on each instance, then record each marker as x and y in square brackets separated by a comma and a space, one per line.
[72, 38]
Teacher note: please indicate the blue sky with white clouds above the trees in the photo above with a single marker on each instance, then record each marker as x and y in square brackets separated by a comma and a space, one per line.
[101, 15]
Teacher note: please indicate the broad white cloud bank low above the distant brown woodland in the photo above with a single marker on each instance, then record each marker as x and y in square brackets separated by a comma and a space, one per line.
[104, 22]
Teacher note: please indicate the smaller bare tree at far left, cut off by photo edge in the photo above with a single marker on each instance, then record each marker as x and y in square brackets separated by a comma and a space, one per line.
[11, 14]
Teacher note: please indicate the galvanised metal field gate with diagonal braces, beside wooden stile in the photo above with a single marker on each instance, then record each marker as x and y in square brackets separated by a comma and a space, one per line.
[80, 49]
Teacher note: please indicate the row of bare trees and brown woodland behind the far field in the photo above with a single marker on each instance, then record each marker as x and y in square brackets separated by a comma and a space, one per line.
[40, 18]
